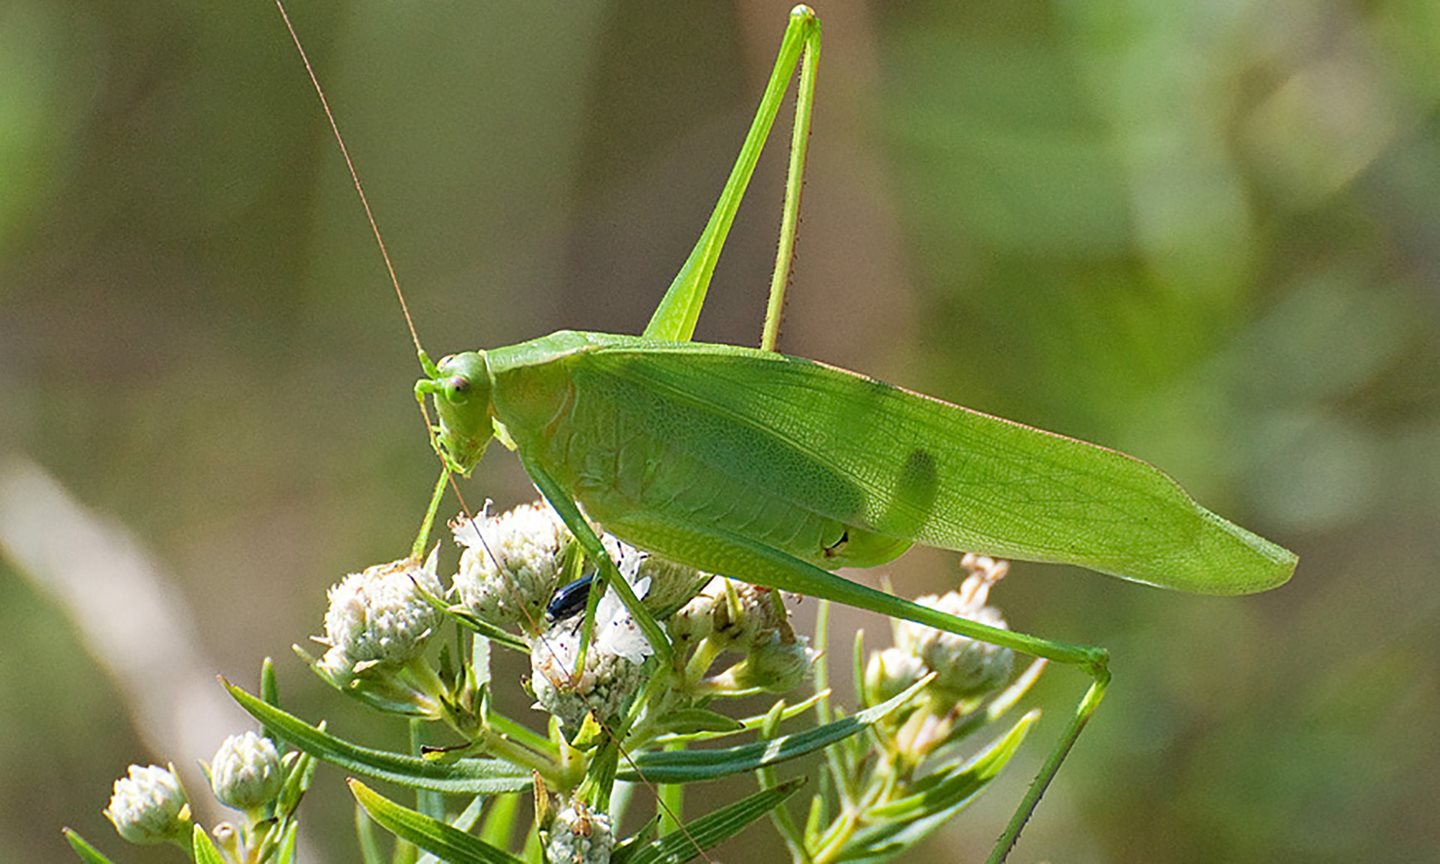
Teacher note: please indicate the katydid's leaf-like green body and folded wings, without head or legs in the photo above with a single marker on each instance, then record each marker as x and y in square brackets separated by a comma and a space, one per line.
[676, 444]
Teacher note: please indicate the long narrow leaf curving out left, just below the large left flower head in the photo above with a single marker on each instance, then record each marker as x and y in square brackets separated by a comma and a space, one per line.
[462, 777]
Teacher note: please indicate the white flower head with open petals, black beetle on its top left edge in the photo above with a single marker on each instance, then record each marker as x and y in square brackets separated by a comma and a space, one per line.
[614, 663]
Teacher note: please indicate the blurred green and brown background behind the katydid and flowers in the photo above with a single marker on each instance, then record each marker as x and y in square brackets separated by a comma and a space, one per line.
[1207, 234]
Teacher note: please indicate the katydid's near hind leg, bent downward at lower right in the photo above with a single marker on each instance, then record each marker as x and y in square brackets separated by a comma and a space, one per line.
[761, 565]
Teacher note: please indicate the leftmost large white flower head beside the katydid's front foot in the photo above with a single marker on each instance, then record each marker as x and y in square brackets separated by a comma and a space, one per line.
[378, 617]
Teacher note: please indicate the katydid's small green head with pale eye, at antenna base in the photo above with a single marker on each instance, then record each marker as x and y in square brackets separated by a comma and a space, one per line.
[460, 387]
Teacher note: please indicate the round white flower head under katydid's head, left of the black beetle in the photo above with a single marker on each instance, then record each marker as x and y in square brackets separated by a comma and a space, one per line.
[529, 542]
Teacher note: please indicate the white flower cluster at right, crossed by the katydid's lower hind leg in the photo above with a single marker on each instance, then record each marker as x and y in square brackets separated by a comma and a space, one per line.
[964, 667]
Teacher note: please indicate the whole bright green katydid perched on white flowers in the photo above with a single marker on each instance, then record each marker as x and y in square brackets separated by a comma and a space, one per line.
[778, 470]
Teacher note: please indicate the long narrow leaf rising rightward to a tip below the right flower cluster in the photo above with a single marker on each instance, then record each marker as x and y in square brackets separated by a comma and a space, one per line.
[688, 767]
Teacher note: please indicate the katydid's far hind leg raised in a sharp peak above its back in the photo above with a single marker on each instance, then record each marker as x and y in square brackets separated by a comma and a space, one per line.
[679, 310]
